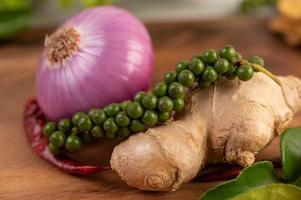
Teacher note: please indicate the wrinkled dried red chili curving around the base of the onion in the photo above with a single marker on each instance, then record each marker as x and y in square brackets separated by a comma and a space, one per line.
[34, 121]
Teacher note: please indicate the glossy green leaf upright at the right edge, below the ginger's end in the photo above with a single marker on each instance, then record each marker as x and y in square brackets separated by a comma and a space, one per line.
[291, 153]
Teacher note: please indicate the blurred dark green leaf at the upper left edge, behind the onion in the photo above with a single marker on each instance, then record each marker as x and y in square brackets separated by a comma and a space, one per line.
[12, 23]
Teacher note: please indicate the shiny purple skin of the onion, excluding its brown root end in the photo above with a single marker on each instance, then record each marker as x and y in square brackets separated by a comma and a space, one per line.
[114, 61]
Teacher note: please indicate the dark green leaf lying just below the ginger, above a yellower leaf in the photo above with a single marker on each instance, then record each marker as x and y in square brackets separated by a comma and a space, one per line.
[258, 175]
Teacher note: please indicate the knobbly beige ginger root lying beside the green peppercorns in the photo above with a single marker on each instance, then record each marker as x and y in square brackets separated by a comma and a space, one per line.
[230, 122]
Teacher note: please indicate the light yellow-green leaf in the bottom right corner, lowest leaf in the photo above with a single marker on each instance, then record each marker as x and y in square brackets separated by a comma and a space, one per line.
[272, 192]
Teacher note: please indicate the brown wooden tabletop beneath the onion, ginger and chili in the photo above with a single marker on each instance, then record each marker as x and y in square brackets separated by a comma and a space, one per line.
[25, 176]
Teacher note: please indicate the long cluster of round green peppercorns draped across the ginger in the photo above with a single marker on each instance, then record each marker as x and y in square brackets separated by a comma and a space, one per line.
[148, 109]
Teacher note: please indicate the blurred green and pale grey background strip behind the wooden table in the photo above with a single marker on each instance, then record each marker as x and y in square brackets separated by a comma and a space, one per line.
[16, 16]
